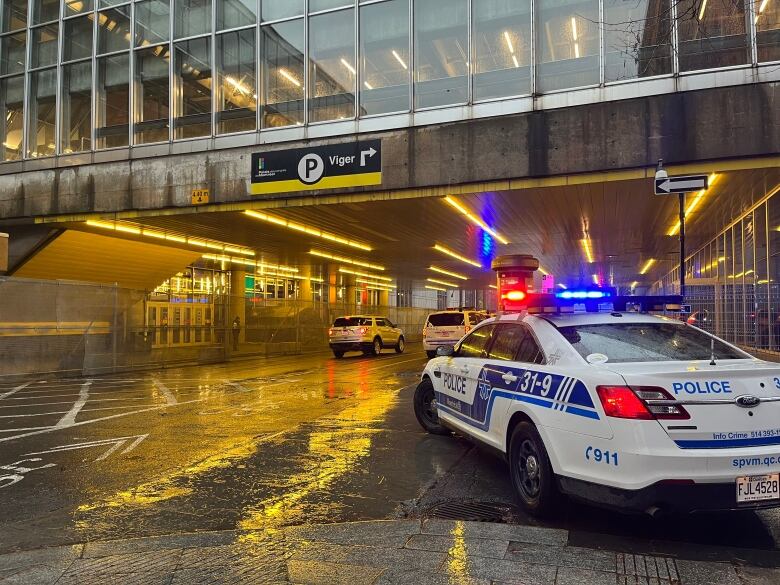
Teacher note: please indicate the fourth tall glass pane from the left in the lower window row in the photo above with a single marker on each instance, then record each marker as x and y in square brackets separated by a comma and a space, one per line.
[113, 101]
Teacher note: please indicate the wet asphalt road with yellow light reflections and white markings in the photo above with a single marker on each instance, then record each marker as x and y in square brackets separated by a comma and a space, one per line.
[273, 442]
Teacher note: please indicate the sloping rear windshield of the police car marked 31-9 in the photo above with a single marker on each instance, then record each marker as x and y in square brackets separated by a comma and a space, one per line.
[645, 342]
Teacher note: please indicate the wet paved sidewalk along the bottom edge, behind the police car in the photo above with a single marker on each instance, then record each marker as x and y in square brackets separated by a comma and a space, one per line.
[381, 552]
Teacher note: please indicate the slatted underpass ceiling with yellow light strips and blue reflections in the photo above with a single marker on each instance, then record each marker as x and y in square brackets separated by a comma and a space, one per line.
[626, 223]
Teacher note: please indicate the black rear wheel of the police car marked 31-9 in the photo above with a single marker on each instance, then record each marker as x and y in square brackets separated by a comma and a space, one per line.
[533, 479]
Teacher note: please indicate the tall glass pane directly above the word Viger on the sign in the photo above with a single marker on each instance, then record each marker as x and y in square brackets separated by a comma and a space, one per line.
[332, 66]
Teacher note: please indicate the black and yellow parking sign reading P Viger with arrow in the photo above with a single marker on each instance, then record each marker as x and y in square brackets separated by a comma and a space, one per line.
[334, 166]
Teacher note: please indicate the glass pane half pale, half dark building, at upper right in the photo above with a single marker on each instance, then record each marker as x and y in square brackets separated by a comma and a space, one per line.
[637, 39]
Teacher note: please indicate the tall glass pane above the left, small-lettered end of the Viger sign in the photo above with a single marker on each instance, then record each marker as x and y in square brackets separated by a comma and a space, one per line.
[283, 71]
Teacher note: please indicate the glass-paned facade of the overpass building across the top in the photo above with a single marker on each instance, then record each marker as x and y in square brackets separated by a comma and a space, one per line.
[84, 75]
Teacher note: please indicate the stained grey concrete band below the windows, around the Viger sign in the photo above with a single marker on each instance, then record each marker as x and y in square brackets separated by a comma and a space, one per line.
[730, 122]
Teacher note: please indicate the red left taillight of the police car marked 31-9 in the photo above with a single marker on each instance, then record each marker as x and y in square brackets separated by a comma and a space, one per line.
[639, 403]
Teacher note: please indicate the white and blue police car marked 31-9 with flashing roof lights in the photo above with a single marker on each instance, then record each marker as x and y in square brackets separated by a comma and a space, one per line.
[623, 409]
